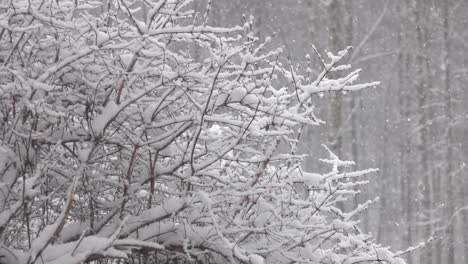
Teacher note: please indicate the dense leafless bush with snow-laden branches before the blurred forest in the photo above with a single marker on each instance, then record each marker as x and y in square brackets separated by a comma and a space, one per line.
[135, 129]
